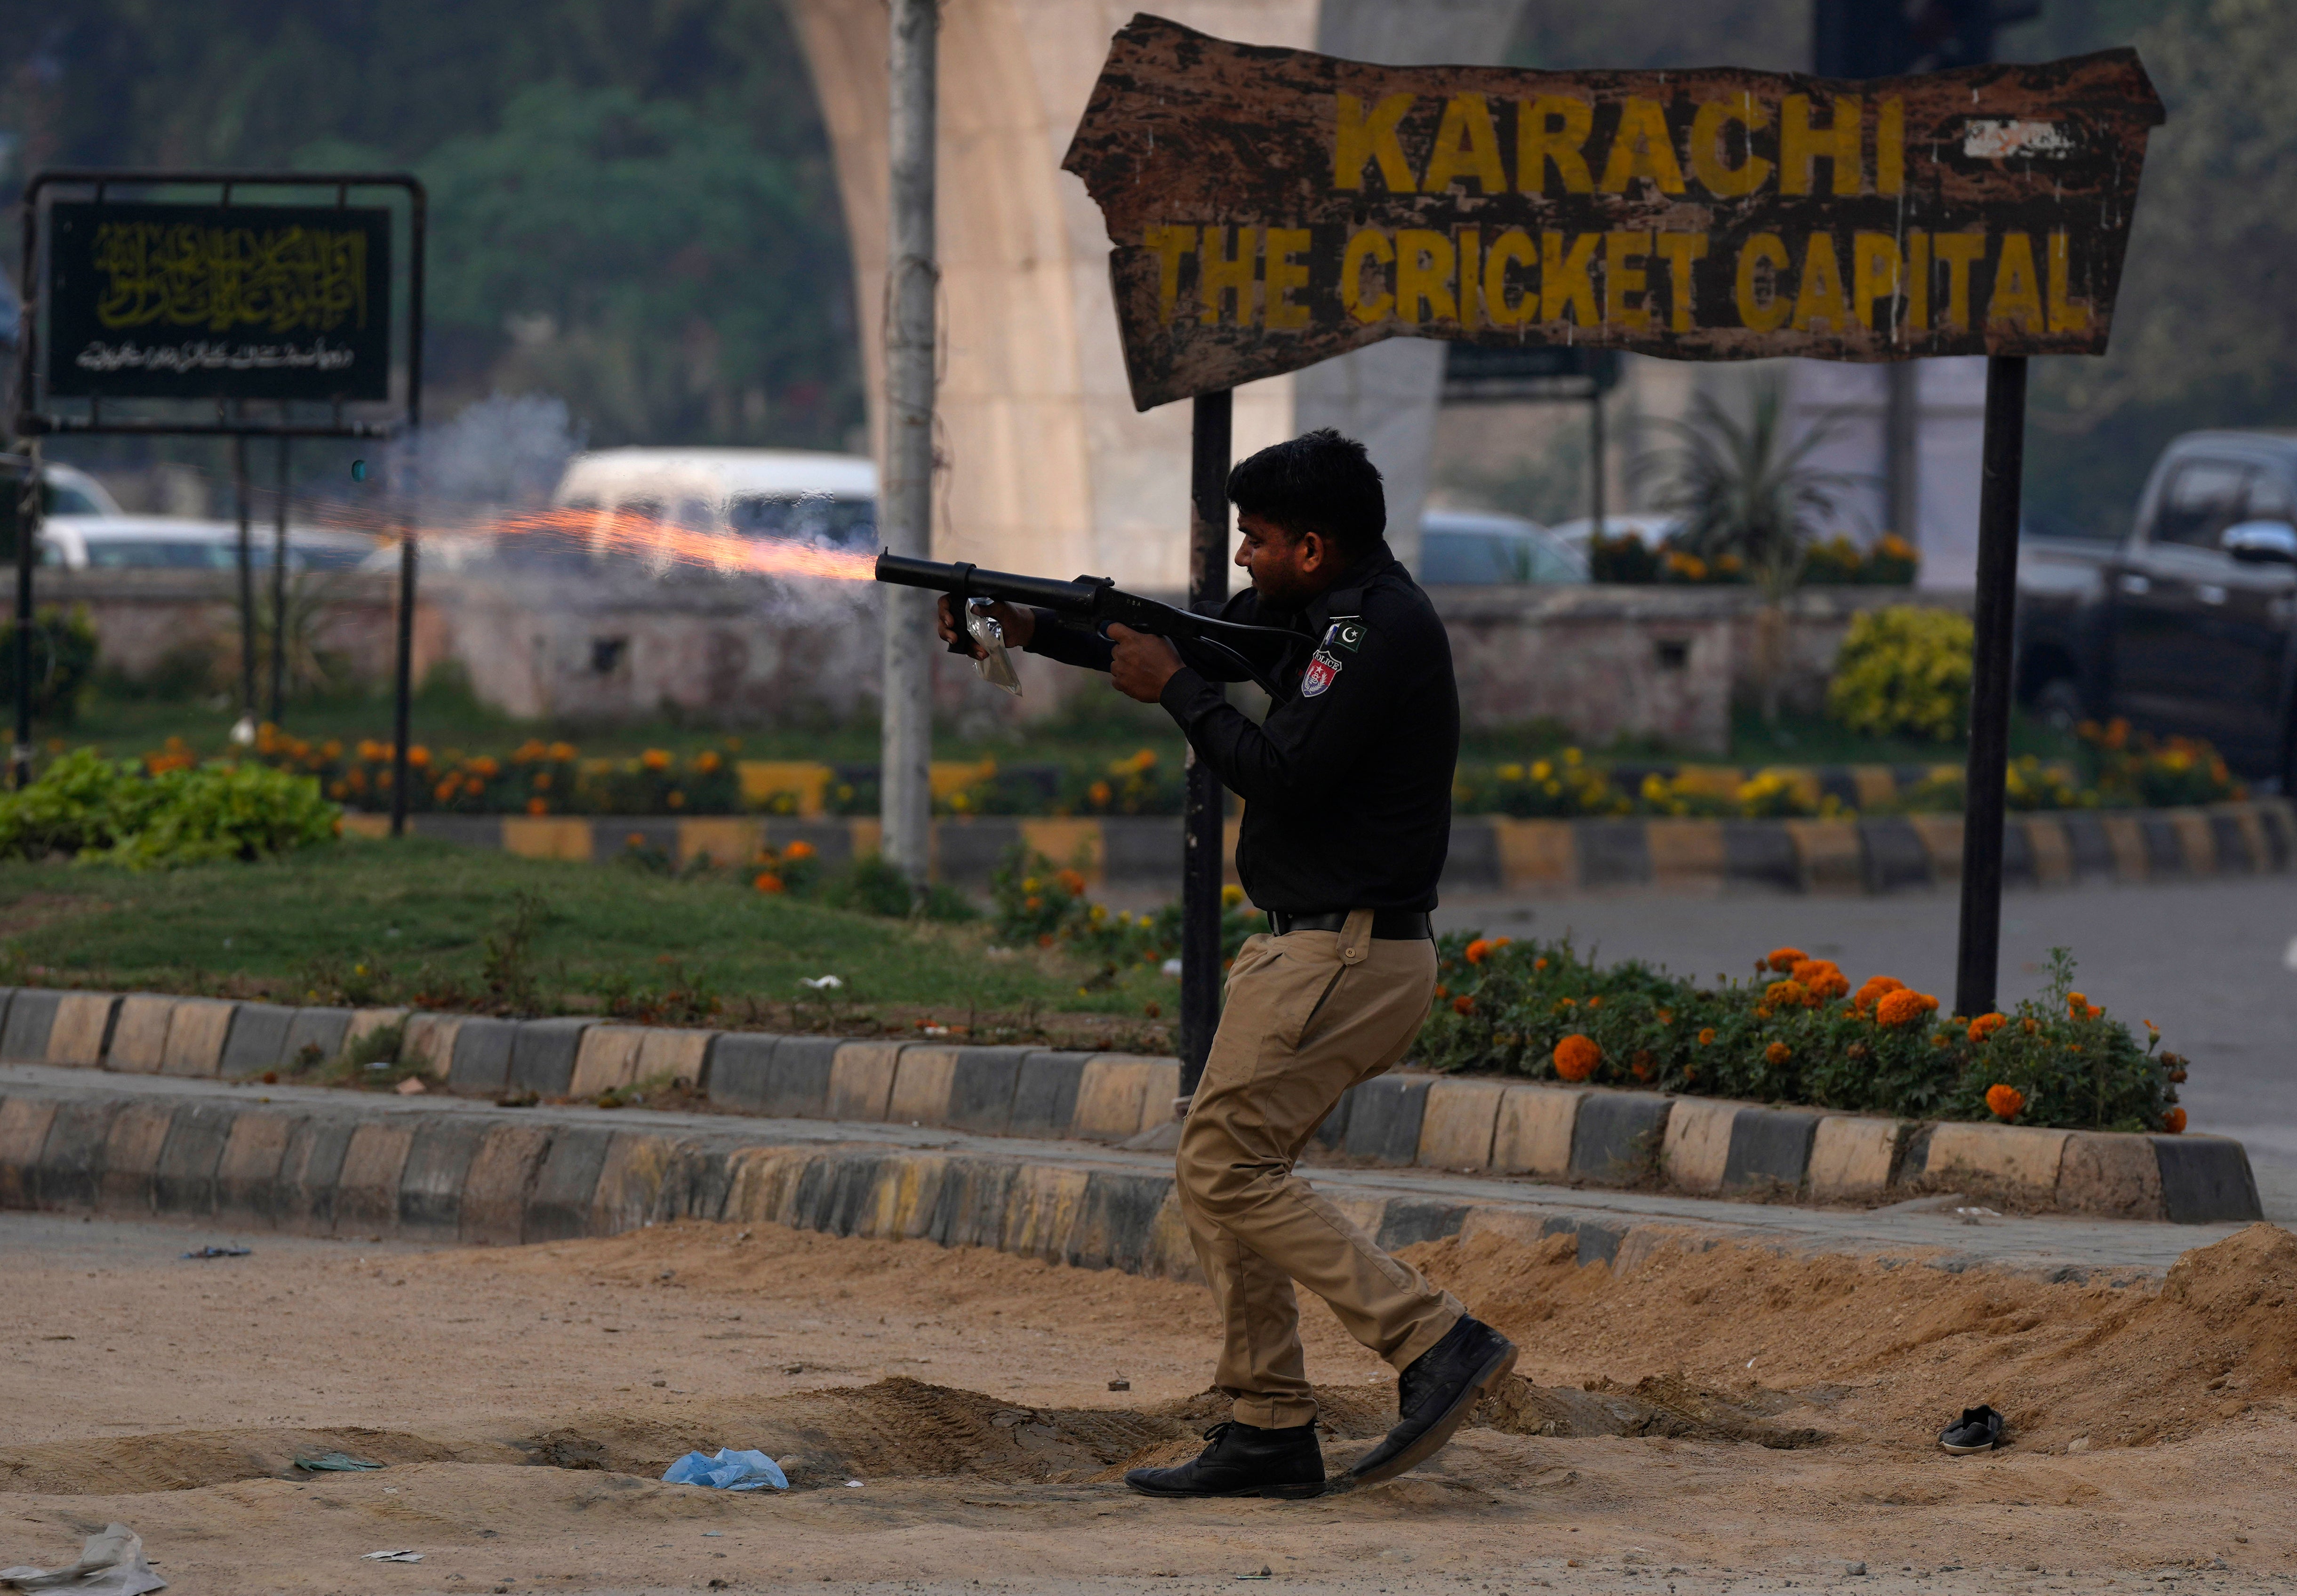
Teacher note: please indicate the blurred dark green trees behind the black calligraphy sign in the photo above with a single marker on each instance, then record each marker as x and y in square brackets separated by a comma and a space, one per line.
[635, 203]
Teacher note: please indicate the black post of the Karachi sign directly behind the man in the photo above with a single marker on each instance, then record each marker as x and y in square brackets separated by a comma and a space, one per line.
[1202, 832]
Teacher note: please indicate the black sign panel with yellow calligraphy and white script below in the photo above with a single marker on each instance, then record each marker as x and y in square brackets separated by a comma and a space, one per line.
[217, 302]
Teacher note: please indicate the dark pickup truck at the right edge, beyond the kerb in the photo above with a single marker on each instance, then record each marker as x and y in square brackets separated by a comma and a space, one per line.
[2188, 623]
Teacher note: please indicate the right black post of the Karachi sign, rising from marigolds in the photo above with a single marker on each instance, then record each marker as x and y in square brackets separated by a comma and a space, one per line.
[1990, 688]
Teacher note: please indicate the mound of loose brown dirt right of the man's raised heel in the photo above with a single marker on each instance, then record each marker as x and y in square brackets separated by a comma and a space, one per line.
[1738, 1331]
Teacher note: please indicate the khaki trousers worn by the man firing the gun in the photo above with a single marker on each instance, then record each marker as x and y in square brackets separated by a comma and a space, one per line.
[1306, 1018]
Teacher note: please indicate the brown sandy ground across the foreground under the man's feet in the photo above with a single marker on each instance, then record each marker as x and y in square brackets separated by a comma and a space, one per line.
[1724, 1420]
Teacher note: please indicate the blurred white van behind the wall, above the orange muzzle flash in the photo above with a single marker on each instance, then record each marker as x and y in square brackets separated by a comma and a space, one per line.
[755, 493]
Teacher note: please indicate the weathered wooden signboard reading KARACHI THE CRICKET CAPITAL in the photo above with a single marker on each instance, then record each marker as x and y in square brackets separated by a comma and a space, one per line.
[1276, 208]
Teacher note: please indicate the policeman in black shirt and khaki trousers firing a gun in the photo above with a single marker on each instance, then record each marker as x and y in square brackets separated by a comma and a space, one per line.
[1347, 796]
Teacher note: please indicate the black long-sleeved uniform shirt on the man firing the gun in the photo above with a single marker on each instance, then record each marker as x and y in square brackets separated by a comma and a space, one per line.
[1349, 780]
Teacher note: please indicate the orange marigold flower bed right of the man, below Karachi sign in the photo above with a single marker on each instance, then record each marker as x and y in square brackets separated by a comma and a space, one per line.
[1797, 1032]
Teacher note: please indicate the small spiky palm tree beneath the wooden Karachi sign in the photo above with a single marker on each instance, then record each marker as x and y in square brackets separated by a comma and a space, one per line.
[1749, 490]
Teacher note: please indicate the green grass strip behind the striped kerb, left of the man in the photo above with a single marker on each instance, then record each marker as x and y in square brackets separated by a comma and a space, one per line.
[444, 927]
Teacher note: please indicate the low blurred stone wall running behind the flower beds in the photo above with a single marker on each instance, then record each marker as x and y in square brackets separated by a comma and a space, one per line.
[1648, 665]
